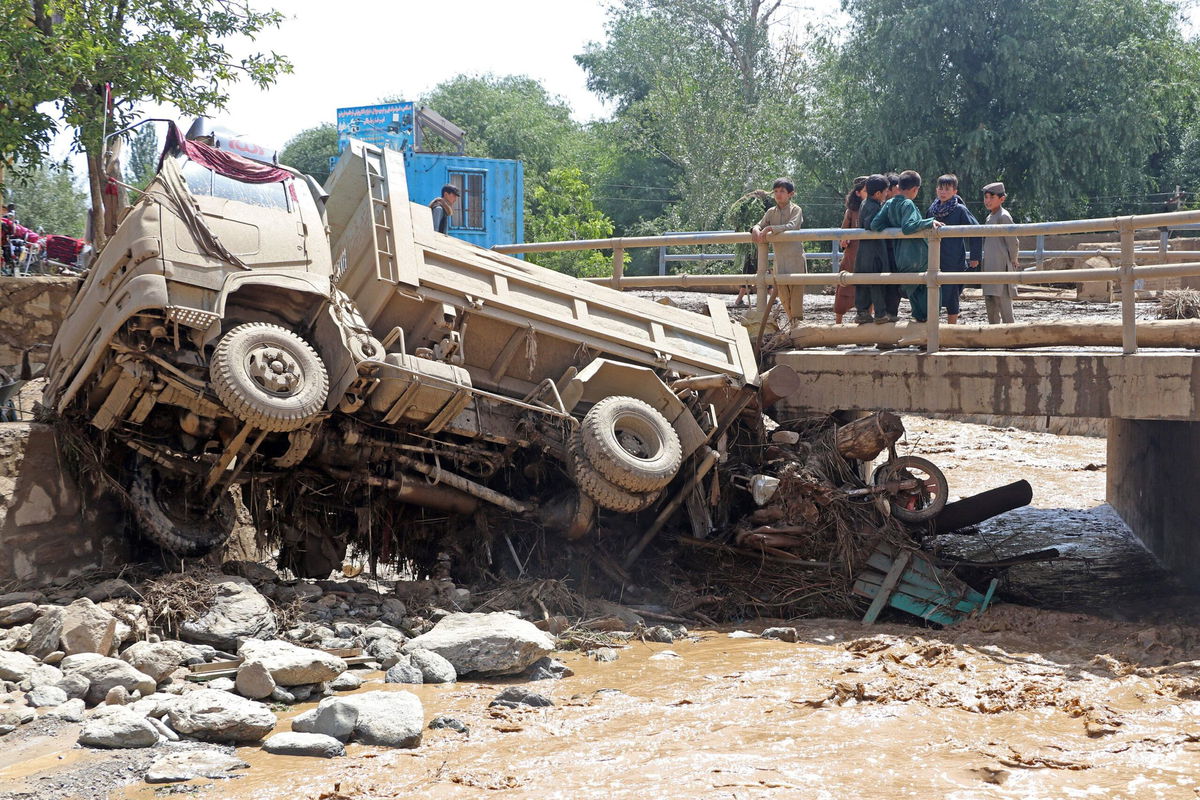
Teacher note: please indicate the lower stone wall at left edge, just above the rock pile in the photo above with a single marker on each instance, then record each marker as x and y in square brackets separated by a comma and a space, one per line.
[49, 530]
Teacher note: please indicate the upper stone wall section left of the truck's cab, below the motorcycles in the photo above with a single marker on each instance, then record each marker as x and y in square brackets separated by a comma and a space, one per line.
[31, 314]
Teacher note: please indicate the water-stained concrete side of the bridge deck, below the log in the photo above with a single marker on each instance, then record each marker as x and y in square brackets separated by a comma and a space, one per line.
[1149, 386]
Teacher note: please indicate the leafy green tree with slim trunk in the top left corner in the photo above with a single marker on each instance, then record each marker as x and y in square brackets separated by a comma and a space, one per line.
[149, 51]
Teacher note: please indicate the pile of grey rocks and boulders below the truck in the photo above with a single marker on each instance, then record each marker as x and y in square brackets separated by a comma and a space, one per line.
[111, 659]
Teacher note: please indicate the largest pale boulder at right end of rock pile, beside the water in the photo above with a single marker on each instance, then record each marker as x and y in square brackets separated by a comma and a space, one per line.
[485, 645]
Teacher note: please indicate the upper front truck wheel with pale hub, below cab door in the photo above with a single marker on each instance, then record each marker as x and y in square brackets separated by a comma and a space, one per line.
[269, 377]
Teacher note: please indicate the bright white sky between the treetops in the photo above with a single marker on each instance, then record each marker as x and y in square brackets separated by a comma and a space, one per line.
[357, 52]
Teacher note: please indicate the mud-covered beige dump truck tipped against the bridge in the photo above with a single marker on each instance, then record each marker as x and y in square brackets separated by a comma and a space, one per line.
[355, 372]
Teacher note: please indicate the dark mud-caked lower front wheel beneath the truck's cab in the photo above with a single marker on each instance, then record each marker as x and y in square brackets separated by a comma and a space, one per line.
[172, 519]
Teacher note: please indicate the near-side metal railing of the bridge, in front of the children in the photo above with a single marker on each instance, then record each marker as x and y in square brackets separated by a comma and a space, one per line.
[1126, 274]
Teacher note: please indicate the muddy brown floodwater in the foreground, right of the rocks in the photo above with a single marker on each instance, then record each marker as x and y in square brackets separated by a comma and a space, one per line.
[893, 715]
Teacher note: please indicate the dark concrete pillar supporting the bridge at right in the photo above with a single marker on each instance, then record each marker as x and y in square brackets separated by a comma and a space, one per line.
[1154, 473]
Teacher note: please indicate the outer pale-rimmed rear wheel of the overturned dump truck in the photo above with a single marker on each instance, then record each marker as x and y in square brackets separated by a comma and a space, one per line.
[632, 444]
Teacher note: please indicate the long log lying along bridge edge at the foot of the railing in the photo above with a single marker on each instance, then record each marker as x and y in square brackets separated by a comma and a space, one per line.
[1085, 333]
